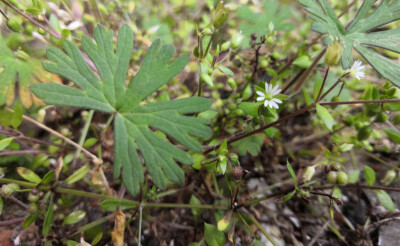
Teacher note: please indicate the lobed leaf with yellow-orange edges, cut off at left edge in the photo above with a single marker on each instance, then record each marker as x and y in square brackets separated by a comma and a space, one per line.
[19, 67]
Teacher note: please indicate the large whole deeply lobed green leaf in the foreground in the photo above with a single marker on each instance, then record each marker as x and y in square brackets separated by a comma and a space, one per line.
[107, 92]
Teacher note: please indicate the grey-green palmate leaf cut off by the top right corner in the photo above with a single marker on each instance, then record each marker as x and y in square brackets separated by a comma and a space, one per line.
[359, 36]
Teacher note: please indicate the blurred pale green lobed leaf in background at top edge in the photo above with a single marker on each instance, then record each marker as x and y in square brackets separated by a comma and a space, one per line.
[259, 22]
